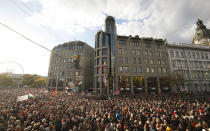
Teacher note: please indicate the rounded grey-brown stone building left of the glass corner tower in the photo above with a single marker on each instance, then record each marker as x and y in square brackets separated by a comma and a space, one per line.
[62, 70]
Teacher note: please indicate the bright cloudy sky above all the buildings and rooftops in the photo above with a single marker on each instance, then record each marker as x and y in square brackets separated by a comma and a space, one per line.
[53, 22]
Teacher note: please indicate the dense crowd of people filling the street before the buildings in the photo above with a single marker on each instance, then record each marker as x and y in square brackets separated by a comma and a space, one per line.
[63, 112]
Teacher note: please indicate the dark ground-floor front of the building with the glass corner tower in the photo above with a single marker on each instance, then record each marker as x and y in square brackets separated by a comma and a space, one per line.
[132, 85]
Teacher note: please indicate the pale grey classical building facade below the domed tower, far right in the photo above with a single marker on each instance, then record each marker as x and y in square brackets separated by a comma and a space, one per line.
[192, 62]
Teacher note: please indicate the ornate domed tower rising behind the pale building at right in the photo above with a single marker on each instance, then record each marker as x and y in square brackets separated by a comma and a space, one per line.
[202, 34]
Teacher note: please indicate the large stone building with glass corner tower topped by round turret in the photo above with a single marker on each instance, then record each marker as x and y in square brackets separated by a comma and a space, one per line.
[136, 65]
